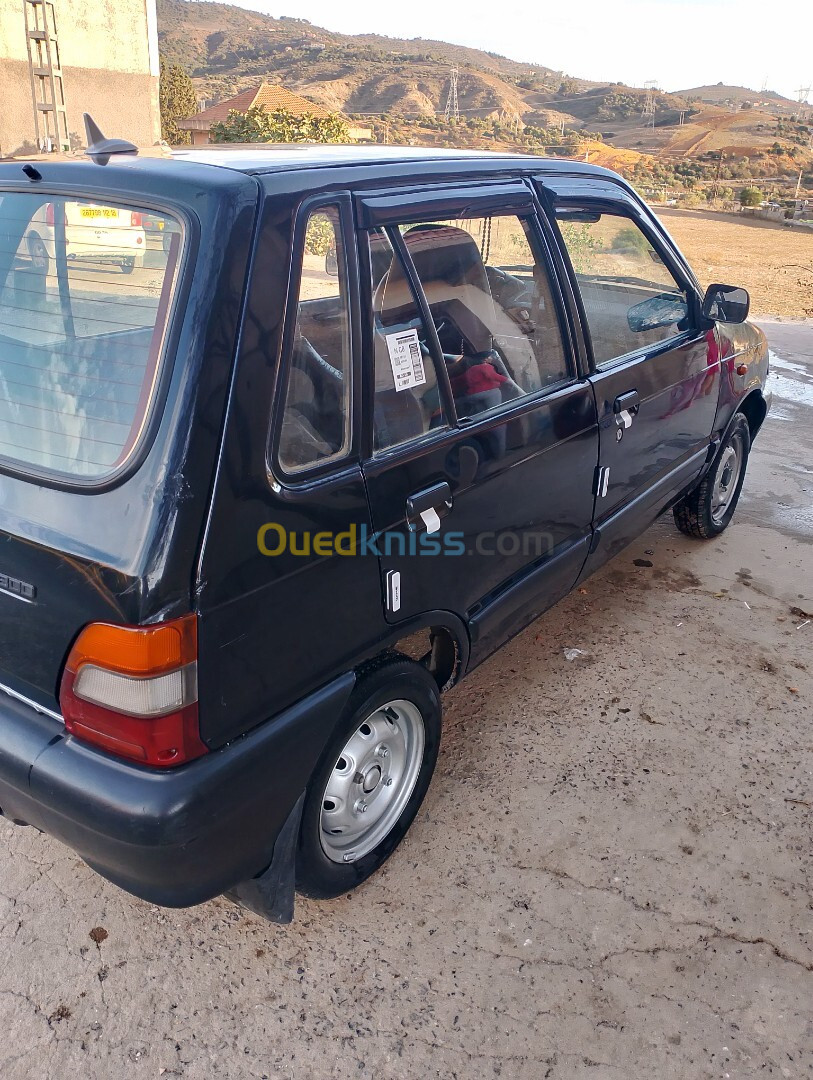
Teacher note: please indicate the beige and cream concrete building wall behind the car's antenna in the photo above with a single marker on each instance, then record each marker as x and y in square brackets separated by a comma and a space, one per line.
[103, 58]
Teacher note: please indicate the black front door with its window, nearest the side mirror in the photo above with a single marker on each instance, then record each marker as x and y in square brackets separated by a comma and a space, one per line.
[656, 369]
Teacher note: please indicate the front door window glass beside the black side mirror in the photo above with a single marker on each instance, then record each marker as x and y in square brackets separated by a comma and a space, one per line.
[631, 298]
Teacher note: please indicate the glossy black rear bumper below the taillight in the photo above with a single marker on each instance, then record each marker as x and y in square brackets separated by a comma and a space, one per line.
[175, 838]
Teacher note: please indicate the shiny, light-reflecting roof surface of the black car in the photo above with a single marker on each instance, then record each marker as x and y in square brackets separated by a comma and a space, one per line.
[287, 156]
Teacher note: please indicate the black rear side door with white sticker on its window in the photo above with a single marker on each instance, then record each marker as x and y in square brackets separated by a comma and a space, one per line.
[483, 447]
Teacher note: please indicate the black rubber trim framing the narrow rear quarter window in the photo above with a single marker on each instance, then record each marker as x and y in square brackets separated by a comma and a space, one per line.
[341, 201]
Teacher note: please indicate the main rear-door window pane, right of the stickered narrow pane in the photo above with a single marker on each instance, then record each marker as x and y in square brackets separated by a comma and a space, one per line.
[493, 307]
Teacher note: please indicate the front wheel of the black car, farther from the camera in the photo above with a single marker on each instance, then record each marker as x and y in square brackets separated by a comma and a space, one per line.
[708, 510]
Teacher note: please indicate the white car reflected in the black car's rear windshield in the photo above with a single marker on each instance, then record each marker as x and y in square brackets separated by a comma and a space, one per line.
[93, 234]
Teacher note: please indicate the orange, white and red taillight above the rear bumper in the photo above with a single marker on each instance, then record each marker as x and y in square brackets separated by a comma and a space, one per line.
[133, 692]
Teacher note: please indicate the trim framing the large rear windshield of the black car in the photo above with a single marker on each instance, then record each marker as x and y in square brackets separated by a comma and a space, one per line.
[191, 235]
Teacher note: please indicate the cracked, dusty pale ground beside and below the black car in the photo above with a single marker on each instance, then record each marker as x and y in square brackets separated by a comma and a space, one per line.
[611, 879]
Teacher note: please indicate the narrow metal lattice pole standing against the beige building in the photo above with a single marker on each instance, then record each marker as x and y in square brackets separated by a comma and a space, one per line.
[48, 92]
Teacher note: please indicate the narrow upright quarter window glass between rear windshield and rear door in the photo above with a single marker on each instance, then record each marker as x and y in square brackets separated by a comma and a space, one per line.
[316, 423]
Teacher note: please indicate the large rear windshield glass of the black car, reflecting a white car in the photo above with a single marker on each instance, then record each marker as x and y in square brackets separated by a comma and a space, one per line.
[86, 293]
